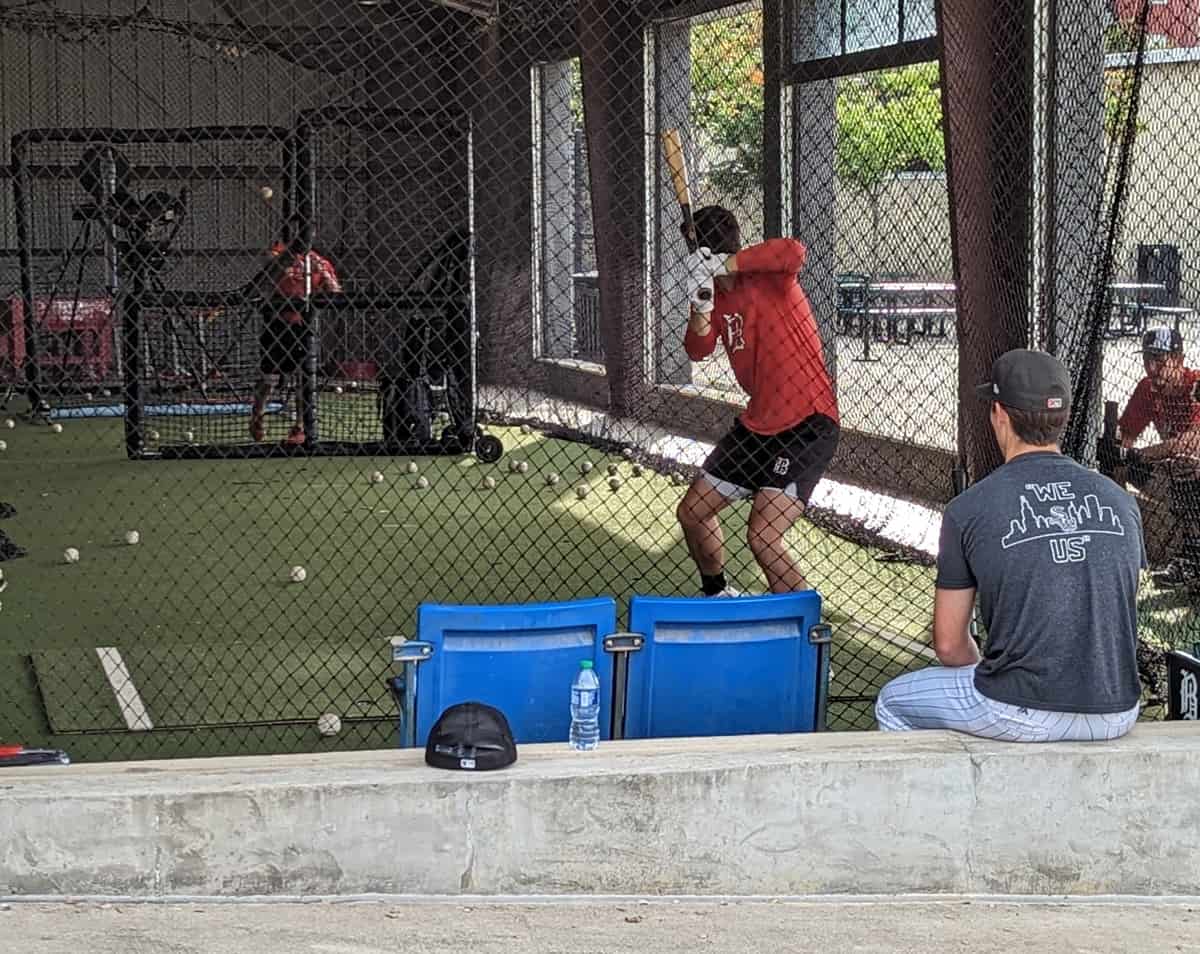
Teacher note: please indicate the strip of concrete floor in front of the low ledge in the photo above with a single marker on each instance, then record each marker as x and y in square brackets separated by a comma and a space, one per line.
[601, 928]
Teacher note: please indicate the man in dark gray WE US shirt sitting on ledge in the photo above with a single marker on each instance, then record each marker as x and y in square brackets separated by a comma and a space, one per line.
[1054, 551]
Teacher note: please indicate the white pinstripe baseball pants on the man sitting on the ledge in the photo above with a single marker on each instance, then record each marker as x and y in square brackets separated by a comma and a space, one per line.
[946, 698]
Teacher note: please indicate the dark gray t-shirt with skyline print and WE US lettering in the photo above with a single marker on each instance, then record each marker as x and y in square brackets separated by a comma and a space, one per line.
[1055, 553]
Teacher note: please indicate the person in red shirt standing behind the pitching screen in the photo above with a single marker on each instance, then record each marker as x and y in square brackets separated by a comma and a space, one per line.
[285, 339]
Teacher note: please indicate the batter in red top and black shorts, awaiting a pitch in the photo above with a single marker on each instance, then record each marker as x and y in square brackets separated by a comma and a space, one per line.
[752, 301]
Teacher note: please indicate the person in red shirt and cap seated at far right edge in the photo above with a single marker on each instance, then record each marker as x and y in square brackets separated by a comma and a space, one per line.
[1169, 399]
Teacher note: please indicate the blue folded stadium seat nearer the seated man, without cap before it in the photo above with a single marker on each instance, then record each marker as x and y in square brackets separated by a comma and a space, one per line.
[724, 667]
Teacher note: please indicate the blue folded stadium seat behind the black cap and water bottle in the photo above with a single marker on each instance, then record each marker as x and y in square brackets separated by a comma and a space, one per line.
[520, 659]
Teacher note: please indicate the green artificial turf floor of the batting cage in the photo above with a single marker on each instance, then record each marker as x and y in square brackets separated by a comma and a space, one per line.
[230, 657]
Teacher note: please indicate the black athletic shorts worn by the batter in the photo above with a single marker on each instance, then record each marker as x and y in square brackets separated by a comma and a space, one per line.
[791, 461]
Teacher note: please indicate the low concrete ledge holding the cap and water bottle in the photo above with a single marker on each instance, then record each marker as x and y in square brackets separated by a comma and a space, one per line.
[791, 815]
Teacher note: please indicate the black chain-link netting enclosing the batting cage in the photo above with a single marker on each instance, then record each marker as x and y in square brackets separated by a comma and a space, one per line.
[314, 311]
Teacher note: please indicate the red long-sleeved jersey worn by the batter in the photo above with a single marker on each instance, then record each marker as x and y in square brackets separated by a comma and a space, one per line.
[770, 334]
